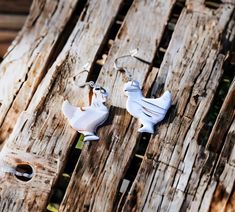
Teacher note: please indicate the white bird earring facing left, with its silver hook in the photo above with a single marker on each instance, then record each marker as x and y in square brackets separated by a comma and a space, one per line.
[149, 111]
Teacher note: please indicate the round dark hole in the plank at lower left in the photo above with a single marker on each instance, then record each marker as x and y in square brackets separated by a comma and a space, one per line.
[24, 172]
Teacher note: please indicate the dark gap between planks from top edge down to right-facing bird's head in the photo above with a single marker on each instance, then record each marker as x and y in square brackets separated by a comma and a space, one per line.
[106, 45]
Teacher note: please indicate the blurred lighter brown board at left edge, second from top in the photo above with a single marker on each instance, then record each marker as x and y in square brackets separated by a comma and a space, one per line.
[12, 22]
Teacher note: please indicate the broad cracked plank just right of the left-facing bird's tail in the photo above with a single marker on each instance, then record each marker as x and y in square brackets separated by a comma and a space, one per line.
[189, 71]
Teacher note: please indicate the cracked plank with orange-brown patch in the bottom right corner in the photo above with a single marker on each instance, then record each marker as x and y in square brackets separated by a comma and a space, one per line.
[223, 179]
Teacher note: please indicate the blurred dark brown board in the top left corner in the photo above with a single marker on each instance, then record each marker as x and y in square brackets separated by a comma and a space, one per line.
[15, 6]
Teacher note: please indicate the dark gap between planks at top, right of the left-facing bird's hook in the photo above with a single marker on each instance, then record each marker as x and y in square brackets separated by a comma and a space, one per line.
[167, 34]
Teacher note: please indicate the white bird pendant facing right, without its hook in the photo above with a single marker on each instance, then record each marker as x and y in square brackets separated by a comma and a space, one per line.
[86, 119]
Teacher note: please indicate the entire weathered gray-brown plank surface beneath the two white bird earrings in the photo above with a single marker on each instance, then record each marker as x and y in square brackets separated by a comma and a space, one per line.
[179, 171]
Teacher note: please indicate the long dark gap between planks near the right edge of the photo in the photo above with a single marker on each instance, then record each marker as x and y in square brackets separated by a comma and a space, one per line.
[216, 105]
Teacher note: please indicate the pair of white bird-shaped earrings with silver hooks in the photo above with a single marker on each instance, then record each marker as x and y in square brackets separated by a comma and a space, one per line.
[148, 111]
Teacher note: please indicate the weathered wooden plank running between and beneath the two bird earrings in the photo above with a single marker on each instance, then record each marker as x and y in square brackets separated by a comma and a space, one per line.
[102, 165]
